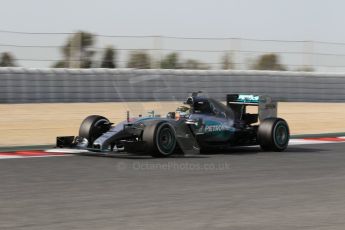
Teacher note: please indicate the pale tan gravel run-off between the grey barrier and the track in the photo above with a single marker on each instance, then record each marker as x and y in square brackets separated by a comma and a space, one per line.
[38, 124]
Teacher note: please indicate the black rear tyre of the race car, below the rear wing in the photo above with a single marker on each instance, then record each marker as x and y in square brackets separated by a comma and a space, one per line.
[273, 134]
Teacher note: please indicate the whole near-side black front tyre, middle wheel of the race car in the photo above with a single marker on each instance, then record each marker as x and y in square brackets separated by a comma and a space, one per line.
[160, 139]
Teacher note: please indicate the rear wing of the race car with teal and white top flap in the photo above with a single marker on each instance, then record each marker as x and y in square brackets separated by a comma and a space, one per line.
[266, 106]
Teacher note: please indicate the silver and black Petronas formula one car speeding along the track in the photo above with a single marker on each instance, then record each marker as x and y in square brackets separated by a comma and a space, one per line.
[202, 124]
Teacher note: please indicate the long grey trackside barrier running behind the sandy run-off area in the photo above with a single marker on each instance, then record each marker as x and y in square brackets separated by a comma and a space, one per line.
[24, 85]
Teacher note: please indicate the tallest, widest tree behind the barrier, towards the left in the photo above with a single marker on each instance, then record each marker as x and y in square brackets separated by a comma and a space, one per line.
[77, 51]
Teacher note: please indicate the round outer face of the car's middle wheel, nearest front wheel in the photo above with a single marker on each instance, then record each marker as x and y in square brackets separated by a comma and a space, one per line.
[166, 140]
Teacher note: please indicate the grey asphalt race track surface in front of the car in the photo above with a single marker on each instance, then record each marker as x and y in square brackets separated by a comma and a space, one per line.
[302, 188]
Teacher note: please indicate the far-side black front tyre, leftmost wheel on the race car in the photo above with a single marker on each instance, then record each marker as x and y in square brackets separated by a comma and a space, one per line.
[93, 127]
